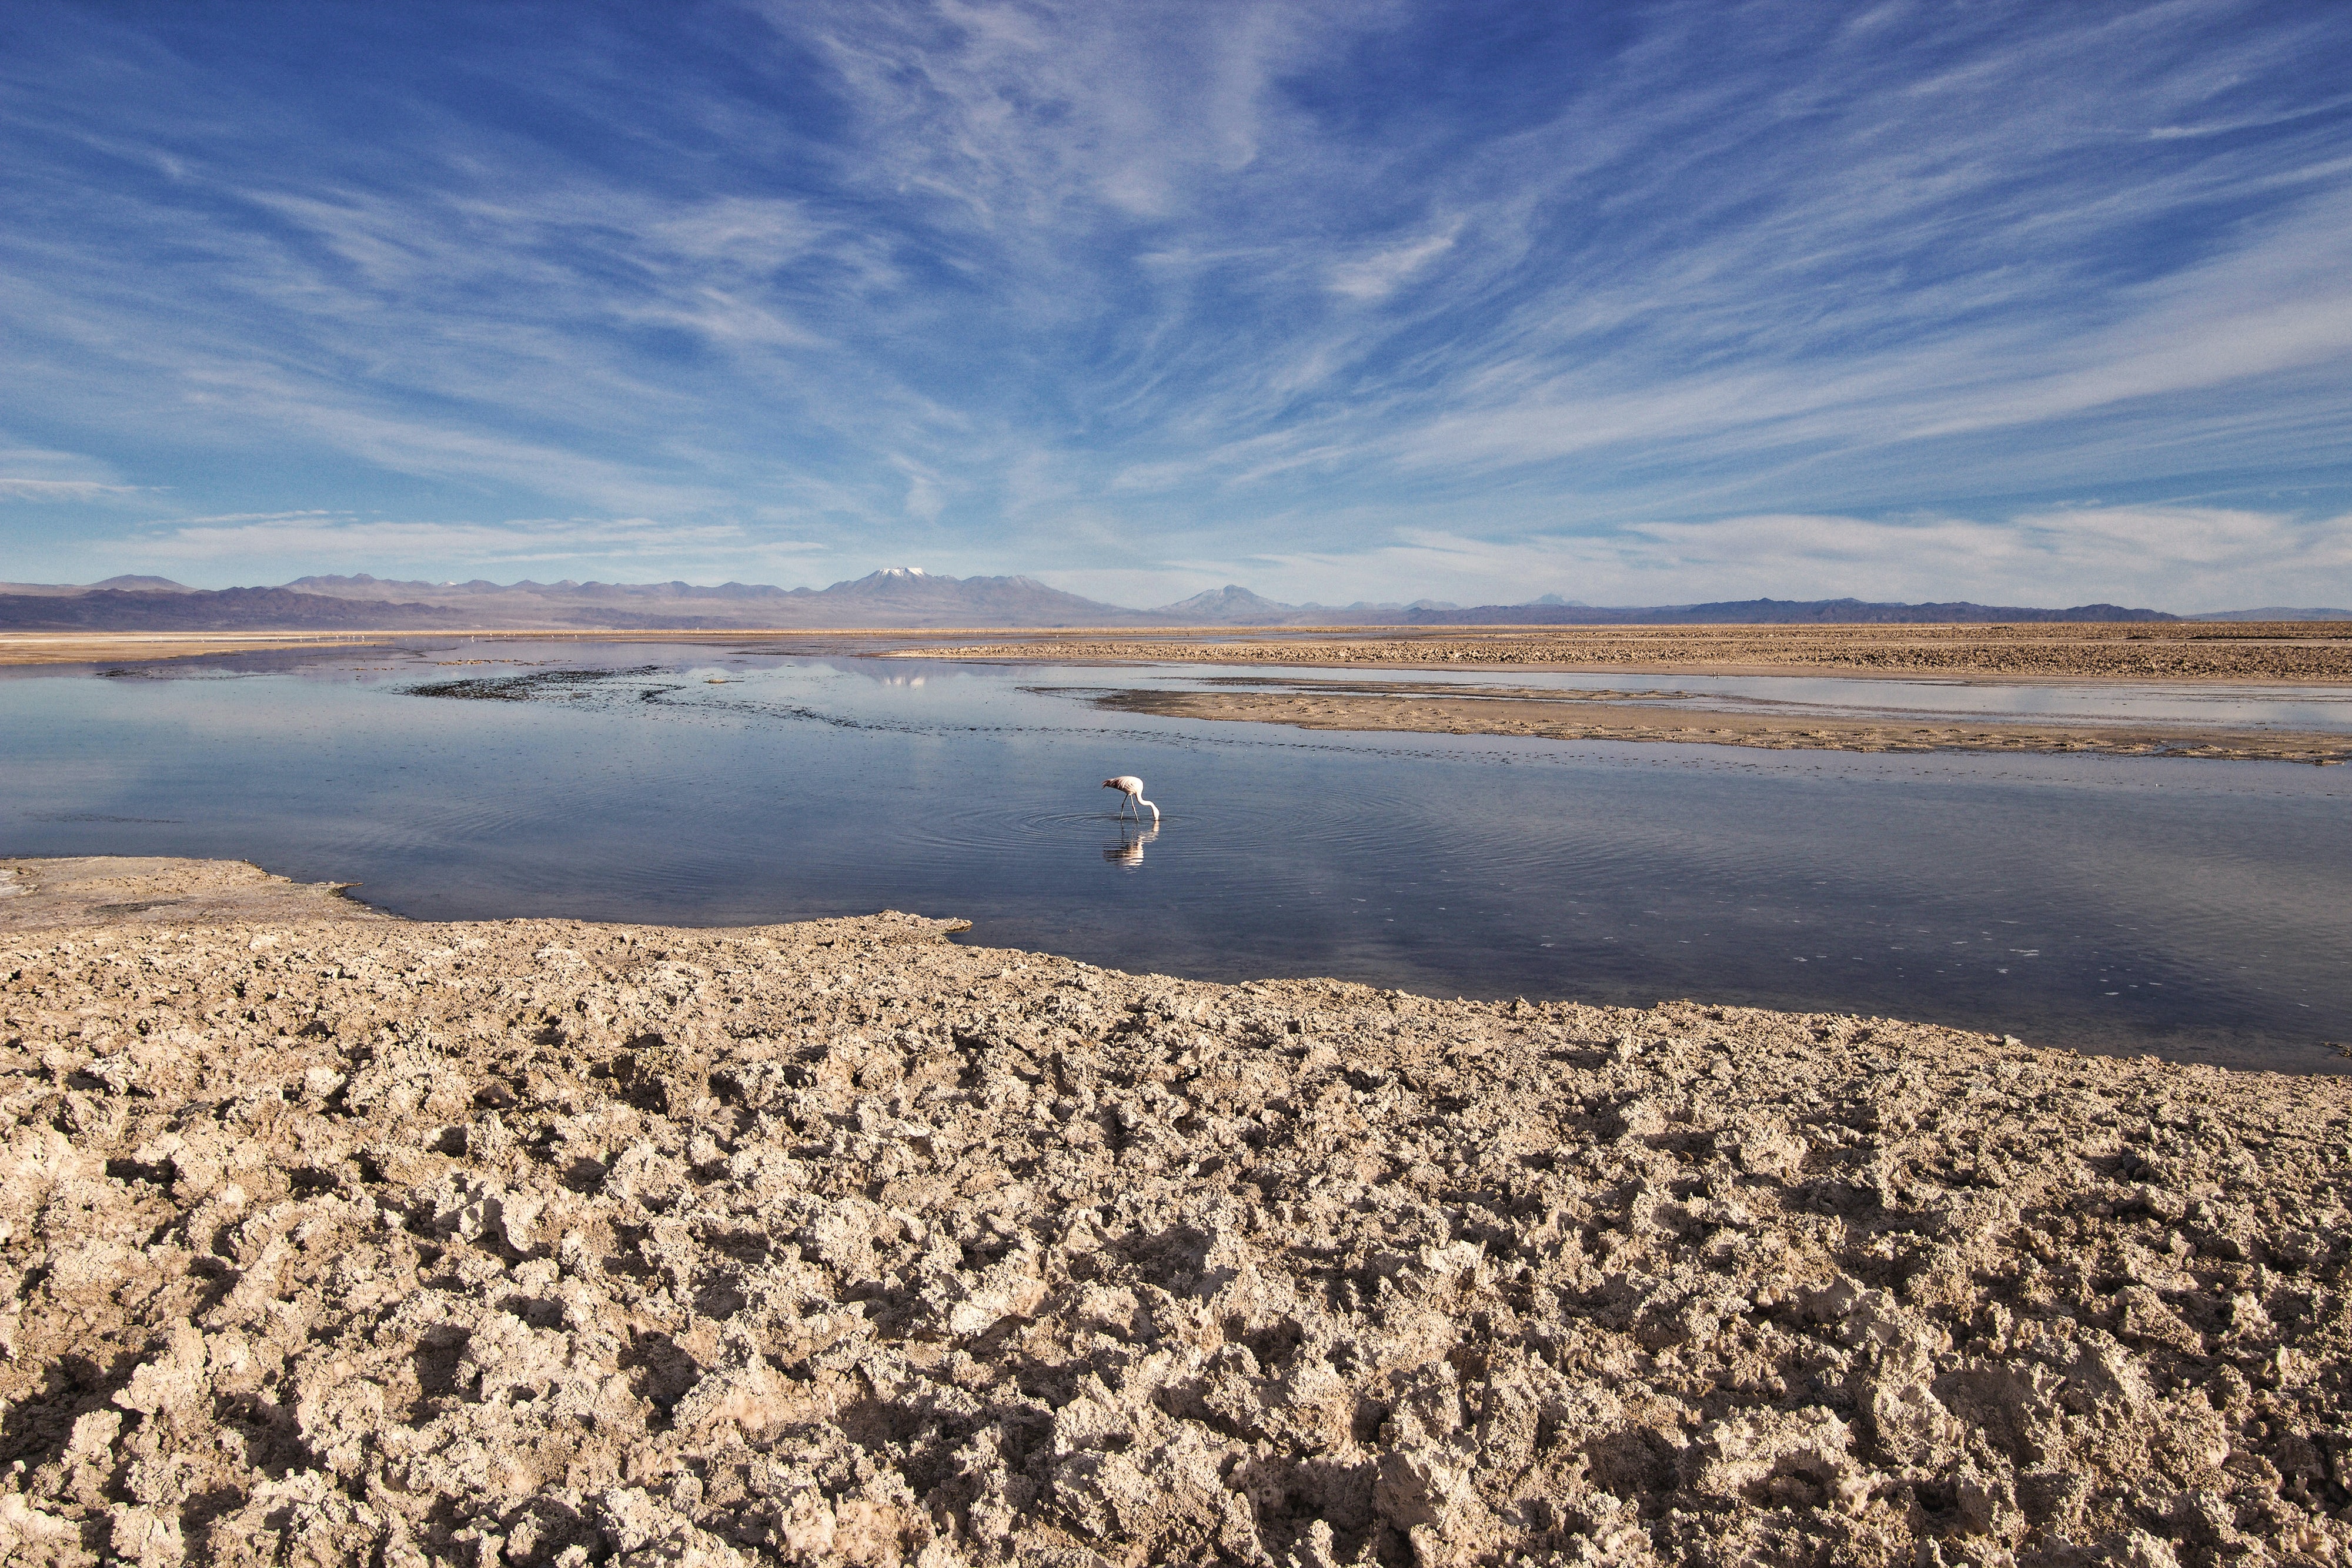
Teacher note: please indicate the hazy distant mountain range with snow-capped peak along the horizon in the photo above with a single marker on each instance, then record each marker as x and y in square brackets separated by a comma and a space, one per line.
[897, 598]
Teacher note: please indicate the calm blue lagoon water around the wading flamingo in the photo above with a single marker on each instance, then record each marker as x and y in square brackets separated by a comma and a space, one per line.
[2191, 909]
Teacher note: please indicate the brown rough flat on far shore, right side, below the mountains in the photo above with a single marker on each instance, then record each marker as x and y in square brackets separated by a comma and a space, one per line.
[2123, 650]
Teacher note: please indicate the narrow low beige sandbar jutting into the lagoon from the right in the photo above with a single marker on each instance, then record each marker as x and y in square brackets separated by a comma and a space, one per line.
[1596, 718]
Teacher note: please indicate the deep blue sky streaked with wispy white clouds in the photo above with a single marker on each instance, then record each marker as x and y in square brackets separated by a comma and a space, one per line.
[1984, 300]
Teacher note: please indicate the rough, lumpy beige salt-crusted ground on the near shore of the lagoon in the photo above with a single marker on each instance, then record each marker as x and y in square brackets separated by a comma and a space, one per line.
[542, 1242]
